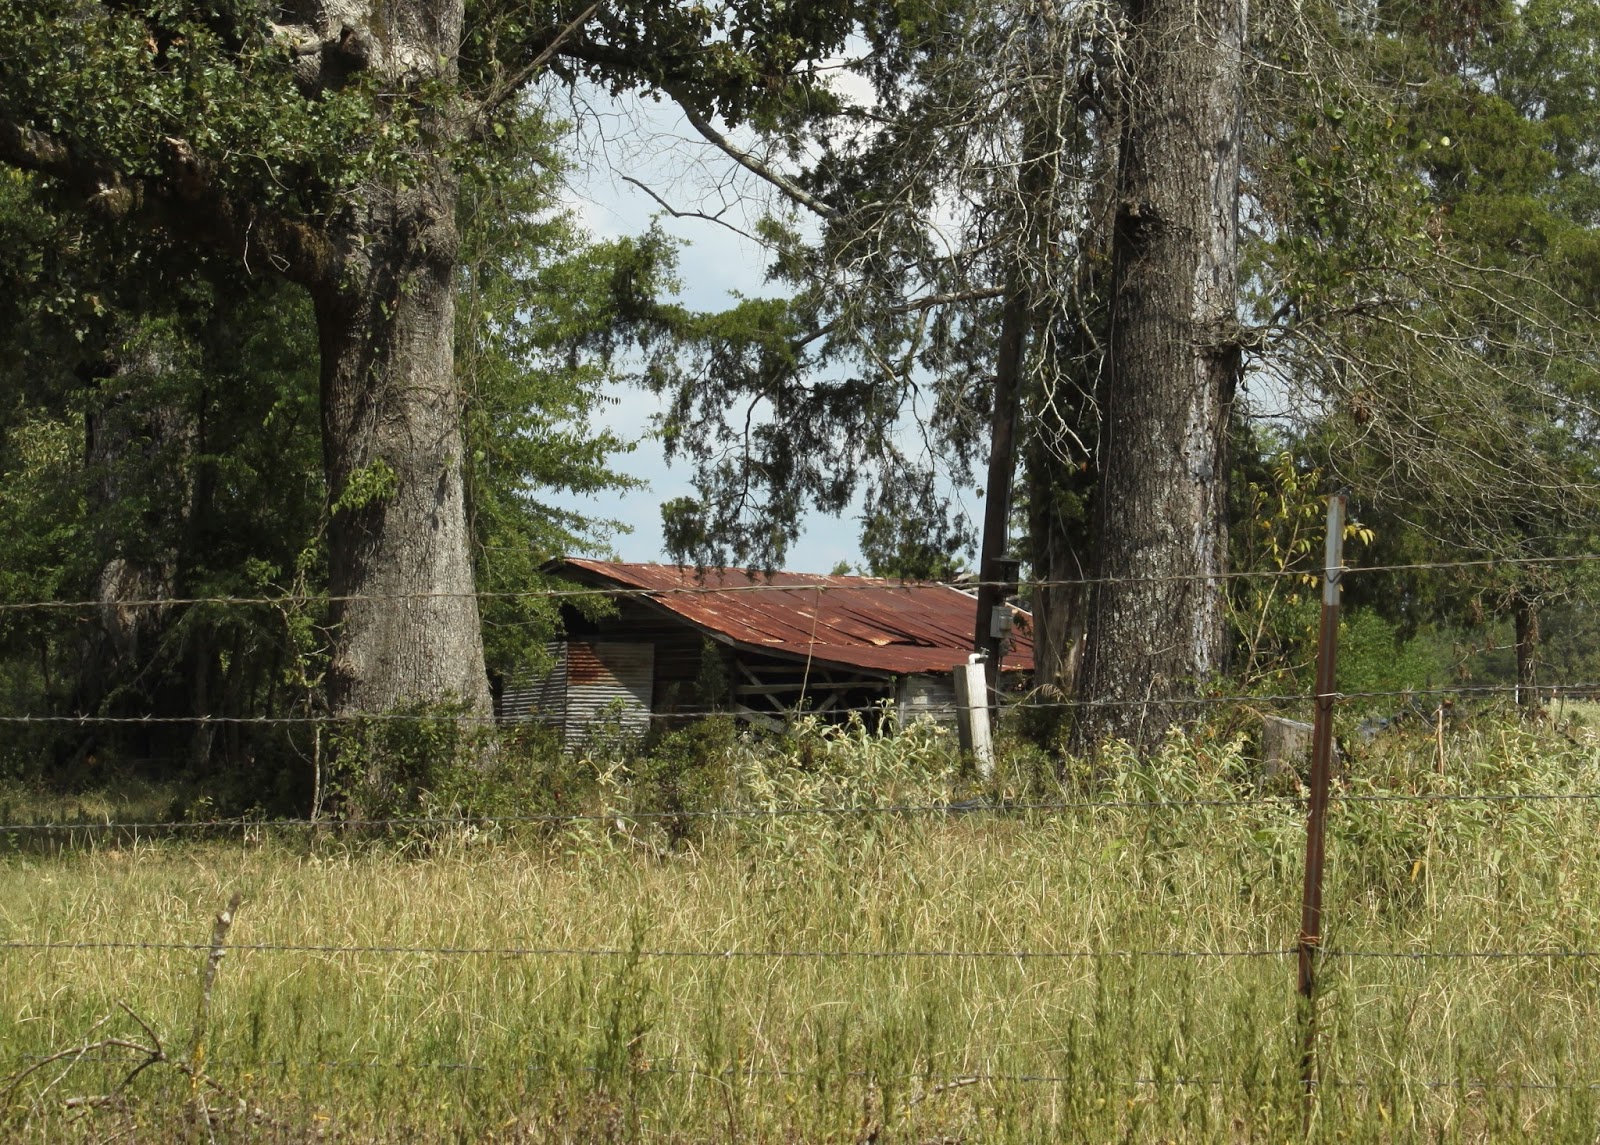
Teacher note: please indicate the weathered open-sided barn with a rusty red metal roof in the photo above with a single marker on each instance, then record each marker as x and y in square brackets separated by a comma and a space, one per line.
[678, 644]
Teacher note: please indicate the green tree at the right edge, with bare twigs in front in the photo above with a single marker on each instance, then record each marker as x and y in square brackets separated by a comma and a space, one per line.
[1433, 257]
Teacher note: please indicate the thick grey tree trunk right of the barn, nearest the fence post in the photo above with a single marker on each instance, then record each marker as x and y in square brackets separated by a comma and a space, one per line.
[1158, 626]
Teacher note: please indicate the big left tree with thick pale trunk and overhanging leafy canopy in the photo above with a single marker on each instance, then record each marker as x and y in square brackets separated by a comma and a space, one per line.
[324, 143]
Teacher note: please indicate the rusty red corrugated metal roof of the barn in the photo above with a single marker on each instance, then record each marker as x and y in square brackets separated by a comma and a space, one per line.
[863, 623]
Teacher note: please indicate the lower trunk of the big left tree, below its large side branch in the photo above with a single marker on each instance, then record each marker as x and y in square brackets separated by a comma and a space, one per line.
[401, 564]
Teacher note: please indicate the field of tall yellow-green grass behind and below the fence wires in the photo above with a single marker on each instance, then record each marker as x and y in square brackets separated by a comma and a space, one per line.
[1068, 975]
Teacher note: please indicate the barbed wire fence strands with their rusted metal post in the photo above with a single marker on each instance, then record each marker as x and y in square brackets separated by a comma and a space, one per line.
[1310, 952]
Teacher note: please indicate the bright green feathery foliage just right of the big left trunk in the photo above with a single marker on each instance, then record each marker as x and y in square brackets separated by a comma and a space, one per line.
[540, 325]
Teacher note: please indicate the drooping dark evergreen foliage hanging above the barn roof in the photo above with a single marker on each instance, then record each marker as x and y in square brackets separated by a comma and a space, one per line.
[873, 383]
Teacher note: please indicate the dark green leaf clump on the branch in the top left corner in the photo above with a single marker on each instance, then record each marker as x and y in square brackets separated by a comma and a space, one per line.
[118, 84]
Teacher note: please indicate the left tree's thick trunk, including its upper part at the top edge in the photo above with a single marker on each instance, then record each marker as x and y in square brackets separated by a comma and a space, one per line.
[399, 554]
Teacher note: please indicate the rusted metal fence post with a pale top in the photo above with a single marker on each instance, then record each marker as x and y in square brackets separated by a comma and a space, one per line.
[1318, 807]
